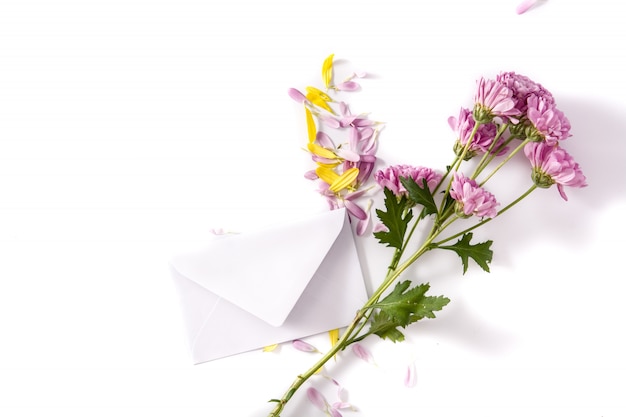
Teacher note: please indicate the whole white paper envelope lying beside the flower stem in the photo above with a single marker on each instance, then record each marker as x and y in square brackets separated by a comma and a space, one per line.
[247, 291]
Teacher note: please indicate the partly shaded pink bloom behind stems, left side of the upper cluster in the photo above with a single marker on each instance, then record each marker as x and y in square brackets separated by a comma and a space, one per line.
[483, 139]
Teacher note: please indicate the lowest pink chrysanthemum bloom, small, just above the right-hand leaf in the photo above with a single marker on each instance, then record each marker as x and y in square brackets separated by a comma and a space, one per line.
[471, 199]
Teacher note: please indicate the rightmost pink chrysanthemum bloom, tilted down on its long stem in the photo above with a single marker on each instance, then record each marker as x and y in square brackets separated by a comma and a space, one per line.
[553, 165]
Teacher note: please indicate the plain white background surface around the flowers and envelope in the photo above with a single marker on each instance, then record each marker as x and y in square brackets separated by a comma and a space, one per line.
[129, 129]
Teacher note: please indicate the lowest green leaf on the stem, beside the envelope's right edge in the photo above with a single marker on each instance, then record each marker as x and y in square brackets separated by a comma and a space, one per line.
[402, 307]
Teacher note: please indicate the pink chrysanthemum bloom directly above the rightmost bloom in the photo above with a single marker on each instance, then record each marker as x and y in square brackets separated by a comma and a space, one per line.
[549, 123]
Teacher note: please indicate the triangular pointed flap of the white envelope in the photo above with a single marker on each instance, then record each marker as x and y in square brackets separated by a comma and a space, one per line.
[265, 272]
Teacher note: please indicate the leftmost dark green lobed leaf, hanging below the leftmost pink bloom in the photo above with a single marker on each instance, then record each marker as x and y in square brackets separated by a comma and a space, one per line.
[396, 218]
